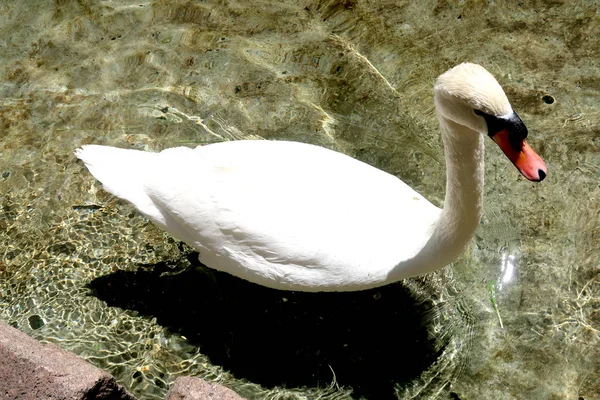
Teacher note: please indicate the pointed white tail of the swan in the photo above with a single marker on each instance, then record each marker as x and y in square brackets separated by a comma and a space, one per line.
[122, 173]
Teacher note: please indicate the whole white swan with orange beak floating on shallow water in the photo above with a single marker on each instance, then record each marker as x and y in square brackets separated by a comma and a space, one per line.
[299, 217]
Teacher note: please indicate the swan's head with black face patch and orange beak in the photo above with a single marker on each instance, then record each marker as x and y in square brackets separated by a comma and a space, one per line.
[468, 95]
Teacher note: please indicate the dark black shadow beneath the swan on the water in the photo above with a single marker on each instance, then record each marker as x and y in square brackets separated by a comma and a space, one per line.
[372, 340]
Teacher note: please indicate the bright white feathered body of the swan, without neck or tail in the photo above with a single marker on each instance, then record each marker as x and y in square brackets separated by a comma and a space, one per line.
[286, 214]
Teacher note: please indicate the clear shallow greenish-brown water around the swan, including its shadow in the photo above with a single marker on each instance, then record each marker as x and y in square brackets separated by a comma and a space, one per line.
[515, 318]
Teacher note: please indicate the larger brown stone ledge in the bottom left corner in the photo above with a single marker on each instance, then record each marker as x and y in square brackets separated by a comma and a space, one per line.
[30, 370]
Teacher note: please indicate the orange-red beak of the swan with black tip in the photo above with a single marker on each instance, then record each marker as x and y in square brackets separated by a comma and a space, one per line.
[525, 159]
